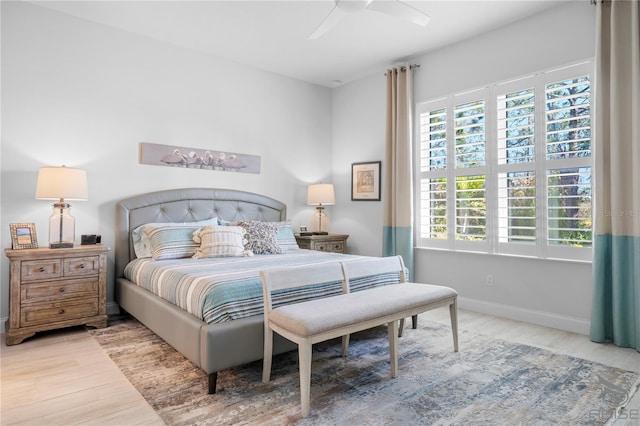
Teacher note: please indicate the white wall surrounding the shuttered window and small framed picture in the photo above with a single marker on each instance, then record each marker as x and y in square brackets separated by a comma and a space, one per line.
[547, 292]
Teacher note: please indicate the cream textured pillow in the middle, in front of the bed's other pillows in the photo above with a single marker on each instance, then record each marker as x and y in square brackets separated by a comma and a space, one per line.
[220, 241]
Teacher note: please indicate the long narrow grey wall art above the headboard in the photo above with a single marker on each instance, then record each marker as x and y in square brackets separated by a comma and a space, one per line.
[198, 158]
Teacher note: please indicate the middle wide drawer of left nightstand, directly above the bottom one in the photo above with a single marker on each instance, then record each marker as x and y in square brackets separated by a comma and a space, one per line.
[33, 293]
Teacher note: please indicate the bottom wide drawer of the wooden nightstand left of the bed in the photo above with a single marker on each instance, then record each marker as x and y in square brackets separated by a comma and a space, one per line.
[56, 312]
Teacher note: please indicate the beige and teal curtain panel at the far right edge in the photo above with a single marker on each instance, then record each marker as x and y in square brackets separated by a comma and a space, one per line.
[615, 314]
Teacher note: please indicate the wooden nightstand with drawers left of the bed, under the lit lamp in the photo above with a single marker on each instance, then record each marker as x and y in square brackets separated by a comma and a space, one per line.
[55, 288]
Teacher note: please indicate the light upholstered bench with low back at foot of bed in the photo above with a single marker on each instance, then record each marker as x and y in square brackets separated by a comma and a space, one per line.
[318, 320]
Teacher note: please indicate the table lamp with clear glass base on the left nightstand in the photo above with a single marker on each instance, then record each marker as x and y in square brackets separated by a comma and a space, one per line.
[61, 183]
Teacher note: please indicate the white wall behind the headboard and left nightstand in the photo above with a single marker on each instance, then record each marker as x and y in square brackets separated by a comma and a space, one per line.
[85, 95]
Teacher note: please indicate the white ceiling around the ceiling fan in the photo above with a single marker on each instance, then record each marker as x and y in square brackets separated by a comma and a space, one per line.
[272, 35]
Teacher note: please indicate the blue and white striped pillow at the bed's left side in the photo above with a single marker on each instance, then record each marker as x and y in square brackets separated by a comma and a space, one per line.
[171, 241]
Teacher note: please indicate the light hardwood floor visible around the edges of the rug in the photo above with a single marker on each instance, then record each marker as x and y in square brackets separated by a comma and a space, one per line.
[64, 378]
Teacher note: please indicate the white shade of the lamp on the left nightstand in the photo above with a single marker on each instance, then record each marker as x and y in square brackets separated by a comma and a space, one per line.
[55, 183]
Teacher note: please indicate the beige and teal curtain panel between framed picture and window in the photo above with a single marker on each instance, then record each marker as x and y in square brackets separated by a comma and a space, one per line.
[398, 182]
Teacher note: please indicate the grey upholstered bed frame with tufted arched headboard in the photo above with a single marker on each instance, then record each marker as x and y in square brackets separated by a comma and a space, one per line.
[212, 347]
